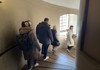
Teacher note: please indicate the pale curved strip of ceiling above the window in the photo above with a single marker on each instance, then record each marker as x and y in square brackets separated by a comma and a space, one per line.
[65, 3]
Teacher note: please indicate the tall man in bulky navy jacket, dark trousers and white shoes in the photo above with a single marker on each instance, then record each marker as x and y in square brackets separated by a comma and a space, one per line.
[44, 35]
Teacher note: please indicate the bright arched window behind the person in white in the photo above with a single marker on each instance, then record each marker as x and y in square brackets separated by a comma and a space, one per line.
[65, 22]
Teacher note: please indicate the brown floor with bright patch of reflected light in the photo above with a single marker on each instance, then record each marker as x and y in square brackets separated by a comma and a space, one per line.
[61, 60]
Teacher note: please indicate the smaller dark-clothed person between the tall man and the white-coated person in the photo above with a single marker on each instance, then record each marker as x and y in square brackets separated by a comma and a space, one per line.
[55, 42]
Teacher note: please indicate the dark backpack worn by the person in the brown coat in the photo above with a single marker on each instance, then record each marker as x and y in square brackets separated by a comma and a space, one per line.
[24, 42]
